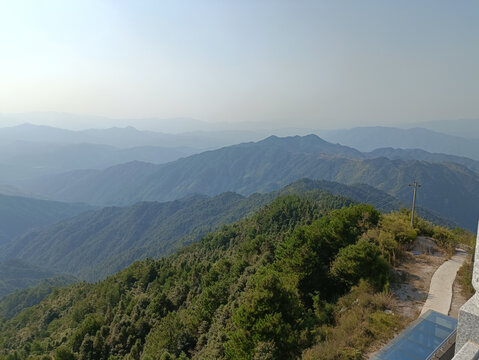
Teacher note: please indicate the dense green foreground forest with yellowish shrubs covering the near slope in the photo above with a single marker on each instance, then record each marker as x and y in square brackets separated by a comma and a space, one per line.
[297, 278]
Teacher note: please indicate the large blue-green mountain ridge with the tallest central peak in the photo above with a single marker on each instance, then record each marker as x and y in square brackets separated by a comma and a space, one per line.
[449, 189]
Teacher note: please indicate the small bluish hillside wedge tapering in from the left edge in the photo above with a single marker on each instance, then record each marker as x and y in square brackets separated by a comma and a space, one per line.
[20, 214]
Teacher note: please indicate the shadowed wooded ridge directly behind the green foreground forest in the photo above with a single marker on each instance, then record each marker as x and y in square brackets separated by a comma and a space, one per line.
[99, 243]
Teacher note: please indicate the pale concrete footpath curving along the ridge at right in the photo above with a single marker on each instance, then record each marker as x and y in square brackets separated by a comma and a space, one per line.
[440, 291]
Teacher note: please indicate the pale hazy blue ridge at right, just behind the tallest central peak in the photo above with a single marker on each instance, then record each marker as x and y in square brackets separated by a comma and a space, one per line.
[371, 138]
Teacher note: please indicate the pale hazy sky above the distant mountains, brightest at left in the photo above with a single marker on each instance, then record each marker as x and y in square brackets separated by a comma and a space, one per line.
[311, 63]
